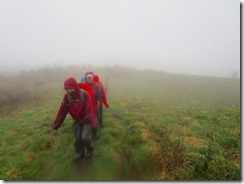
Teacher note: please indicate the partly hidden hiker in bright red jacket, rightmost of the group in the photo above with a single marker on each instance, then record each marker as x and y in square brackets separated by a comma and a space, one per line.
[100, 99]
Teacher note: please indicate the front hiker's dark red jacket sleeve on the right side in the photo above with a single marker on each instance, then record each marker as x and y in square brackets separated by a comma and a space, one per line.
[89, 110]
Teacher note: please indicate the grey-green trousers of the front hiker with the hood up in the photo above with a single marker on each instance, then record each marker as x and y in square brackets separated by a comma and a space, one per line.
[83, 139]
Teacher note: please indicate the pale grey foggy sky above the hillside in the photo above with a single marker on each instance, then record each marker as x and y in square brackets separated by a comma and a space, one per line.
[177, 36]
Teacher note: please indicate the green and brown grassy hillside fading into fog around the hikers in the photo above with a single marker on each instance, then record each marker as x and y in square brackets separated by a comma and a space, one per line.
[159, 126]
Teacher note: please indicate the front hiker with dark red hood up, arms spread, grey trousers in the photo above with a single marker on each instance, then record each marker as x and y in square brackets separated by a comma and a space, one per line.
[77, 102]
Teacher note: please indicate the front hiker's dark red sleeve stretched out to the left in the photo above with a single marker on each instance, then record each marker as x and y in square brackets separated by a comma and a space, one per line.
[63, 111]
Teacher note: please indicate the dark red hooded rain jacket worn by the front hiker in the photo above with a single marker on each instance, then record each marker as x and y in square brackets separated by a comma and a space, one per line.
[80, 110]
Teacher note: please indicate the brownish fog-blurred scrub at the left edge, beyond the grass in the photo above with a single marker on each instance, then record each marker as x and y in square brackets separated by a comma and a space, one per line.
[27, 87]
